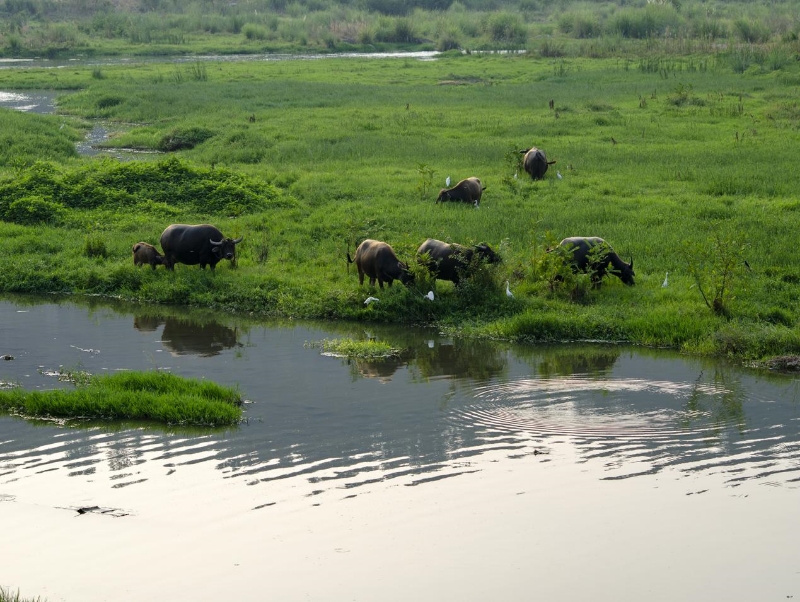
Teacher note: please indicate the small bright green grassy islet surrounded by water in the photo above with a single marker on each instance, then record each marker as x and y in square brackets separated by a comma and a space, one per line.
[157, 396]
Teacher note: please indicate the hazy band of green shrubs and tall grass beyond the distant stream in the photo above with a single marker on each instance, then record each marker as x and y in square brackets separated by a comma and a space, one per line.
[54, 27]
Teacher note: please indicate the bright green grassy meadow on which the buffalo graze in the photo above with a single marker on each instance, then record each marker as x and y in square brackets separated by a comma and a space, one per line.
[684, 163]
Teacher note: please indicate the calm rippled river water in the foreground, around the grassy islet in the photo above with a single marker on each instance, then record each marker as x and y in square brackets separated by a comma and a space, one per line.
[459, 470]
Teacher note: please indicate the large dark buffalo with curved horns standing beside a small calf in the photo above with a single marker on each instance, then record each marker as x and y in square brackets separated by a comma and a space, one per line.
[202, 244]
